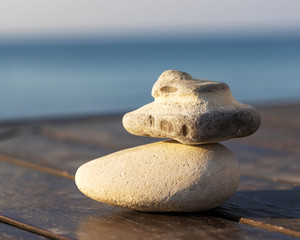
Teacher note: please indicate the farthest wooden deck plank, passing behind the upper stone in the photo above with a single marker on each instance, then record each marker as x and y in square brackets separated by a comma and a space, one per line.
[280, 129]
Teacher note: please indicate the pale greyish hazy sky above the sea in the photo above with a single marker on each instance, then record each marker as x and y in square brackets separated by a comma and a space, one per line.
[32, 18]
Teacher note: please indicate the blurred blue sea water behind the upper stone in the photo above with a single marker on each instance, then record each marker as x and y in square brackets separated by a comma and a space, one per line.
[61, 79]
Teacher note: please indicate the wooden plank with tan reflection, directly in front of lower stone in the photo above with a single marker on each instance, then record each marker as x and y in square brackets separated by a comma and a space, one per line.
[54, 204]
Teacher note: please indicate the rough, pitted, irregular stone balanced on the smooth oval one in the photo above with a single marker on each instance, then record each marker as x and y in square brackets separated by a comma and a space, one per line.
[192, 111]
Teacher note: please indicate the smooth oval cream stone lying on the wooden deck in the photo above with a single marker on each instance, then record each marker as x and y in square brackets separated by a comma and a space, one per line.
[162, 177]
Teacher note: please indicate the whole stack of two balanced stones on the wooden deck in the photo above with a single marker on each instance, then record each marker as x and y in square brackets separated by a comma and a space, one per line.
[193, 173]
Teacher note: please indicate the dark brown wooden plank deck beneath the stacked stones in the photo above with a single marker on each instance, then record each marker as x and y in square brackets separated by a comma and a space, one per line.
[38, 160]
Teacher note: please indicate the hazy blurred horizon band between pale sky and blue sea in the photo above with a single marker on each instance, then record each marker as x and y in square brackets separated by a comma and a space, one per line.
[150, 37]
